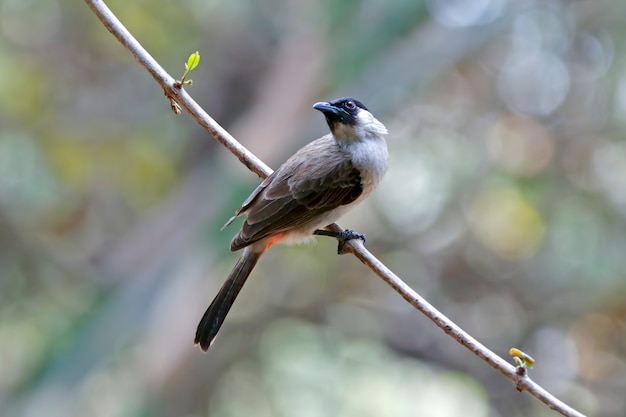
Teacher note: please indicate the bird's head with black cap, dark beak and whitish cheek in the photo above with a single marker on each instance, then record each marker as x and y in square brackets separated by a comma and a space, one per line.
[349, 119]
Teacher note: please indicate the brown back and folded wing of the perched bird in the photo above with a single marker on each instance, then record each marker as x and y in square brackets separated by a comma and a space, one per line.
[317, 179]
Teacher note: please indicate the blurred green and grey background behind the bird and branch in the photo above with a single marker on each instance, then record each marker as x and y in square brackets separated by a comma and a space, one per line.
[504, 206]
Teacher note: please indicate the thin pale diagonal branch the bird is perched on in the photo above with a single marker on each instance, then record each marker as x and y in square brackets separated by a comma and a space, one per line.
[356, 247]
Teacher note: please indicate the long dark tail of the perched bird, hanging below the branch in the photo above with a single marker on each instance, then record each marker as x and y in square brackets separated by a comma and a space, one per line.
[220, 306]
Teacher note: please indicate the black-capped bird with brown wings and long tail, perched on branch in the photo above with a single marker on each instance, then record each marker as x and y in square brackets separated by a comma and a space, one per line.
[311, 190]
